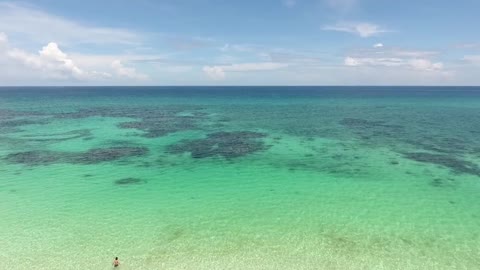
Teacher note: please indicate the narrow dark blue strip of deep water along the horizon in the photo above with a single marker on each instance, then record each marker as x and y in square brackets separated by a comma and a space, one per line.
[249, 91]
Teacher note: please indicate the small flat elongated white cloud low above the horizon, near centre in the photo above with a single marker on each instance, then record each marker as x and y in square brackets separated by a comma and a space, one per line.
[219, 72]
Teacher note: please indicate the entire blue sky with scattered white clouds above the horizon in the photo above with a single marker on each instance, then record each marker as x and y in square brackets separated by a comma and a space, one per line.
[220, 42]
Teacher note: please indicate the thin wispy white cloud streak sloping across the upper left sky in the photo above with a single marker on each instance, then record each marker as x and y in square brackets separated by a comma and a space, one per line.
[41, 27]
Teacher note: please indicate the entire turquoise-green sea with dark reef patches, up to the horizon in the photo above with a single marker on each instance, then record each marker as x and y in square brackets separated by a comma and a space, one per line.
[240, 178]
